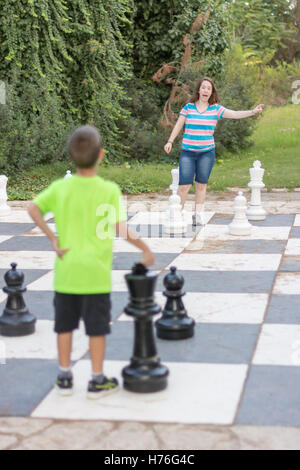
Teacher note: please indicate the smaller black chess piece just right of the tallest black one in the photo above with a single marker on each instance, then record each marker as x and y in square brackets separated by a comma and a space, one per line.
[174, 323]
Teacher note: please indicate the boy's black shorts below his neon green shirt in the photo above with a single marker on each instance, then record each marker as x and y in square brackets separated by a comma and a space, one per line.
[94, 309]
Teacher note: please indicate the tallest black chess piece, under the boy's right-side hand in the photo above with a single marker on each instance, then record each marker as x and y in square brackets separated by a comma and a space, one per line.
[145, 373]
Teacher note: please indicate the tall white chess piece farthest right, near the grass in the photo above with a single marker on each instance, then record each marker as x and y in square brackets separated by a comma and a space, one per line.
[255, 211]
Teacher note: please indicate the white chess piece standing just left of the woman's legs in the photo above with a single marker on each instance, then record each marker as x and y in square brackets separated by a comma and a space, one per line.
[175, 220]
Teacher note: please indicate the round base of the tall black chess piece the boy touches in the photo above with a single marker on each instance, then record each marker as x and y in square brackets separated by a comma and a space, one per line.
[145, 378]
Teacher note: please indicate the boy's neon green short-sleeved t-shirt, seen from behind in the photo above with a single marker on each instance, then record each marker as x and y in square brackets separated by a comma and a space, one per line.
[85, 212]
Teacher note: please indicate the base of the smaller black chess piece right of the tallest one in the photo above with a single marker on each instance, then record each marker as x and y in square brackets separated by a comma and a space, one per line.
[175, 328]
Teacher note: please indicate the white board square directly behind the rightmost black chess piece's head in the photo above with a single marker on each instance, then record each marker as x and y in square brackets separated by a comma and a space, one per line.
[227, 262]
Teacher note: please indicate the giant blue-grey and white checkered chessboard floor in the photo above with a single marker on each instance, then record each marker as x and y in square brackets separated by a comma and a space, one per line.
[241, 366]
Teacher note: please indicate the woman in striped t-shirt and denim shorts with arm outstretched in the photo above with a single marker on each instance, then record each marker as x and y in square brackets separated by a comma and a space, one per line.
[200, 117]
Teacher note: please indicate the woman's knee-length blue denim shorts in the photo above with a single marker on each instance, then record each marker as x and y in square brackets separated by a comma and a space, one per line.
[195, 163]
